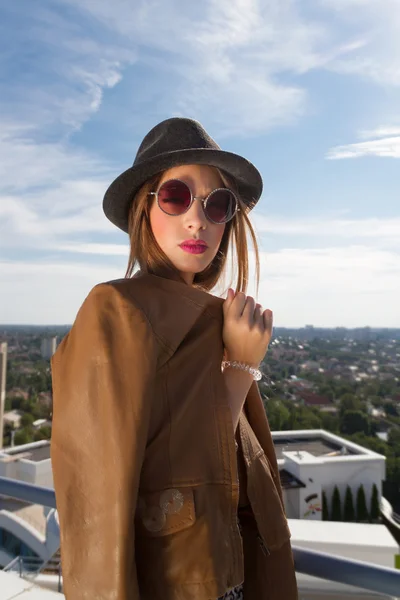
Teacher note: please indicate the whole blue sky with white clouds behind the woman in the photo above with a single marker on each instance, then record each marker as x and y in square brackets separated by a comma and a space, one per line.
[308, 91]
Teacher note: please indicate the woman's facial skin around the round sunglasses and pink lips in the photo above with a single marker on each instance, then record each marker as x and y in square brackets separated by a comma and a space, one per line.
[171, 231]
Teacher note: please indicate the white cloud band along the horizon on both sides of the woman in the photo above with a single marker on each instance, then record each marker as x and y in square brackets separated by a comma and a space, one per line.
[325, 286]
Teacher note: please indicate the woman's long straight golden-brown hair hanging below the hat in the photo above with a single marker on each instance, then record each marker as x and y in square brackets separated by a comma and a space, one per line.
[147, 254]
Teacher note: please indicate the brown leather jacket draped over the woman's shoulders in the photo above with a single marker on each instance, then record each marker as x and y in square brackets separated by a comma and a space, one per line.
[146, 470]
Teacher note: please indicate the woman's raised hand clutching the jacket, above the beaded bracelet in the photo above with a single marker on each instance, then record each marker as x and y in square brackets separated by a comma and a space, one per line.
[247, 329]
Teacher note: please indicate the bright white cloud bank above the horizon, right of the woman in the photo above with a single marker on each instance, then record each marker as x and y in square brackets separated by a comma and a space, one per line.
[353, 286]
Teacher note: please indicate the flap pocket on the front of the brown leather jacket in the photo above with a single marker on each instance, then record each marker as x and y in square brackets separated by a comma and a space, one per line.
[164, 512]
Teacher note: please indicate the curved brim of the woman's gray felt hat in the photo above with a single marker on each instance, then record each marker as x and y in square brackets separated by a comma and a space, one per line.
[120, 193]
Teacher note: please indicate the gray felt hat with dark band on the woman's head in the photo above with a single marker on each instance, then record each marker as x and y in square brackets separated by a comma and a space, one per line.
[174, 142]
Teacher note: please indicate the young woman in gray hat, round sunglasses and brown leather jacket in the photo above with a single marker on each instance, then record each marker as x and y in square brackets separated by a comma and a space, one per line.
[166, 479]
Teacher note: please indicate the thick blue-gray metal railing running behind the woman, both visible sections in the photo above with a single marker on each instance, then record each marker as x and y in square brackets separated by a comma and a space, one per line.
[362, 575]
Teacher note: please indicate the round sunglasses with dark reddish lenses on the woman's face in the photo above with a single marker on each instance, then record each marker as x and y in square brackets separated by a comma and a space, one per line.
[174, 197]
